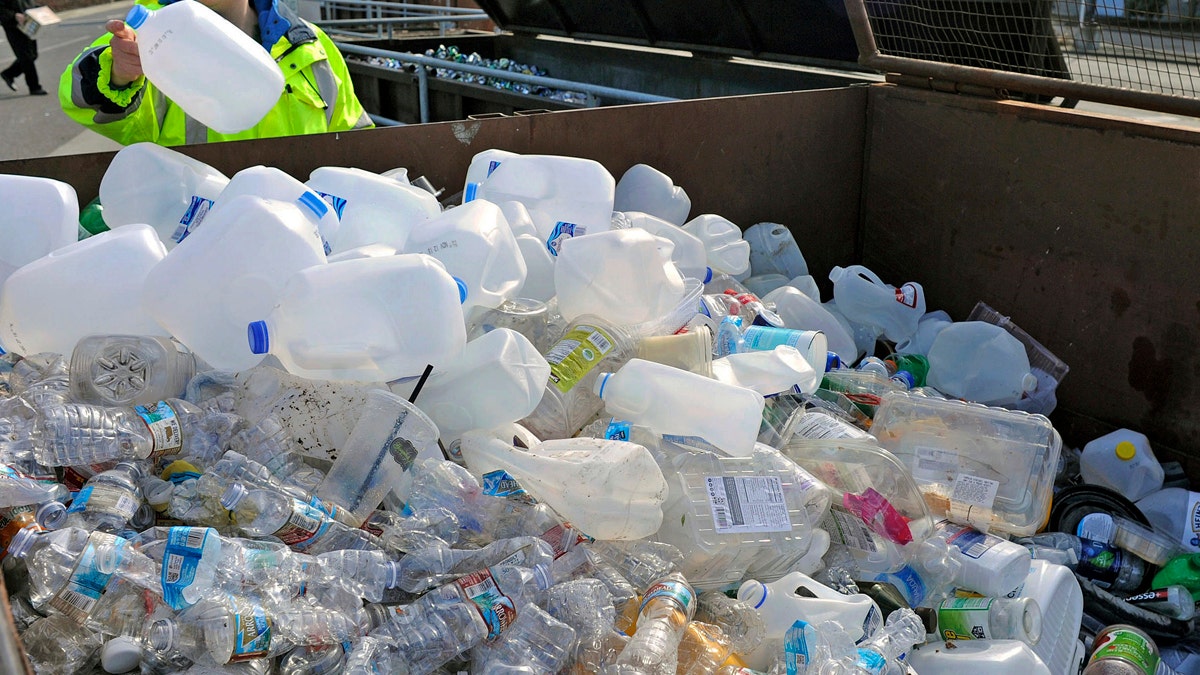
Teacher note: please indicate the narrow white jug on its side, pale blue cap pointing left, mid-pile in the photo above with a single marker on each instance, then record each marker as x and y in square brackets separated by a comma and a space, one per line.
[681, 404]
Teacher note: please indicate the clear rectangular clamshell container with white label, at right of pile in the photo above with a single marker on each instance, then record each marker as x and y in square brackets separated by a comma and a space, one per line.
[988, 468]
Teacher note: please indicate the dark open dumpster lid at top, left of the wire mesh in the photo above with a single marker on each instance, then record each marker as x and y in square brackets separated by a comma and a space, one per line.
[799, 31]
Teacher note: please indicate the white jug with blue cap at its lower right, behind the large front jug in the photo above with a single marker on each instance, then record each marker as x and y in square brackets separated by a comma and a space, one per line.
[476, 244]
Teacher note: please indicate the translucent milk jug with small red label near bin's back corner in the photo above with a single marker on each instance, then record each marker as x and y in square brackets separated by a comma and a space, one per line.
[865, 298]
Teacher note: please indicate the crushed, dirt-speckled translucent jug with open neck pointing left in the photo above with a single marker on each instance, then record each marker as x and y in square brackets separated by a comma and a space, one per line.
[609, 489]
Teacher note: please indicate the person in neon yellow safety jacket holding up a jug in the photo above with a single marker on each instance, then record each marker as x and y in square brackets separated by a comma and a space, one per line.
[105, 89]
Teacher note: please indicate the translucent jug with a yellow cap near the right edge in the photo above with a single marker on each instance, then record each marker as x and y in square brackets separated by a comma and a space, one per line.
[1123, 462]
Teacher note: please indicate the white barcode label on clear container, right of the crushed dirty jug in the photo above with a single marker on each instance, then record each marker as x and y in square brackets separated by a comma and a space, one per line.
[748, 504]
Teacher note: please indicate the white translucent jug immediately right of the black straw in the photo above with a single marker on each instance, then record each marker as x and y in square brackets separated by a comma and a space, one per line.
[501, 378]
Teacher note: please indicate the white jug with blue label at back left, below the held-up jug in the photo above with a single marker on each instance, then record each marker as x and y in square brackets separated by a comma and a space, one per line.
[159, 187]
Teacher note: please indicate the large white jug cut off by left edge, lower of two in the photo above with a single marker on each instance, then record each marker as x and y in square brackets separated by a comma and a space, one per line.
[86, 289]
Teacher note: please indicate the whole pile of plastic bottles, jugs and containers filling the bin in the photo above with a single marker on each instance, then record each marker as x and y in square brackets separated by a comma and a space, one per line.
[554, 425]
